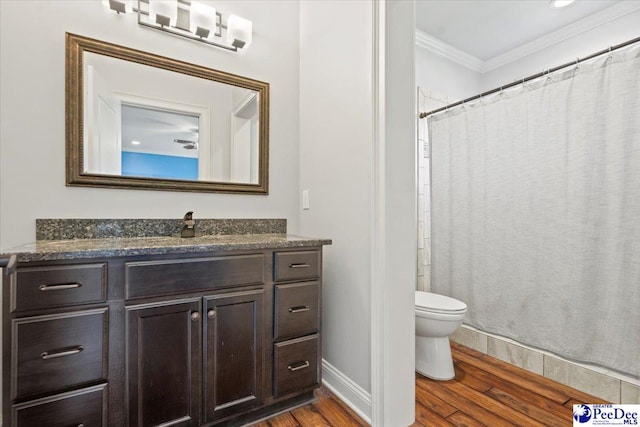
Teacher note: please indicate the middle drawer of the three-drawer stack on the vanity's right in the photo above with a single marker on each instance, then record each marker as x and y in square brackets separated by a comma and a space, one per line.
[296, 310]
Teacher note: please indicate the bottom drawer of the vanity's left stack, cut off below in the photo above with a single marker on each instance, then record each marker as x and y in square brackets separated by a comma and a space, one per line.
[85, 407]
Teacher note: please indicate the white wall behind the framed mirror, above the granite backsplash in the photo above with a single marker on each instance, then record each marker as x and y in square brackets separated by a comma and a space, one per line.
[32, 139]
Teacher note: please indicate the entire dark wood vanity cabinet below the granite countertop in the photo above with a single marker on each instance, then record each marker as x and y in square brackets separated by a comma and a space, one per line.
[185, 340]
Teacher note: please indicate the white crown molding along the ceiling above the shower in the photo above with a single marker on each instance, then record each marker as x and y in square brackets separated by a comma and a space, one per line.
[585, 24]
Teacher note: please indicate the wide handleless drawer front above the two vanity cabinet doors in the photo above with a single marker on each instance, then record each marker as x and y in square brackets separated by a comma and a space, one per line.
[156, 278]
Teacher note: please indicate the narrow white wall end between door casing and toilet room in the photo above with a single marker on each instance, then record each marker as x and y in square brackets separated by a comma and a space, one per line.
[399, 201]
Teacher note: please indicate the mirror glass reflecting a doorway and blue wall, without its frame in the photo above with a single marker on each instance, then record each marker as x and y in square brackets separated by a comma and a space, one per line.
[167, 125]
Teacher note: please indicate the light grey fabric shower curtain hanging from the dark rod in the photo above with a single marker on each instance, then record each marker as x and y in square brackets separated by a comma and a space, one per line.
[536, 211]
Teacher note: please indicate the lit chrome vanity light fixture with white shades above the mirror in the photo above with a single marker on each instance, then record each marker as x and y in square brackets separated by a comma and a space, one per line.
[195, 20]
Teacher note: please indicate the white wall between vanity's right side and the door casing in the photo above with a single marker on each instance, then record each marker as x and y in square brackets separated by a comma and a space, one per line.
[335, 166]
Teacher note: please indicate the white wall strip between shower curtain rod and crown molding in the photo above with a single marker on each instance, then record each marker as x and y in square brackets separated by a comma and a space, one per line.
[611, 33]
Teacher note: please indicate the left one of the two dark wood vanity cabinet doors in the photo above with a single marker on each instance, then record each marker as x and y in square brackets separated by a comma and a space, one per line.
[163, 361]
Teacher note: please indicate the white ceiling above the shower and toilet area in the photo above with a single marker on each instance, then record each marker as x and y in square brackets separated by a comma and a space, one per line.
[486, 29]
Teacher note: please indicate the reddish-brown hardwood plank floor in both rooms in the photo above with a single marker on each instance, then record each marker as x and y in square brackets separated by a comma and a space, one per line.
[485, 392]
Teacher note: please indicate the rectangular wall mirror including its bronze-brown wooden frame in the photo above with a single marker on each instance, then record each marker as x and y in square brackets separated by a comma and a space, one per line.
[143, 121]
